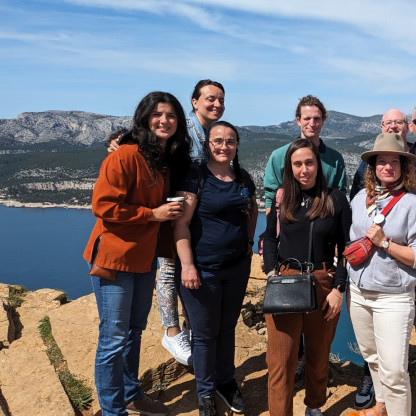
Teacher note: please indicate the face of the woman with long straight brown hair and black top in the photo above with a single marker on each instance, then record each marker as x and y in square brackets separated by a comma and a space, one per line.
[304, 167]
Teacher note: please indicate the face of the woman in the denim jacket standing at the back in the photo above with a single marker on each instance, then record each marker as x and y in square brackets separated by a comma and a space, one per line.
[209, 107]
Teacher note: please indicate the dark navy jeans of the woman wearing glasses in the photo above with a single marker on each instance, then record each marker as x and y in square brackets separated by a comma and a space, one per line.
[213, 310]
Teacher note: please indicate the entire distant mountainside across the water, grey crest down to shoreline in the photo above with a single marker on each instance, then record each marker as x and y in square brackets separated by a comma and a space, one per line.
[55, 156]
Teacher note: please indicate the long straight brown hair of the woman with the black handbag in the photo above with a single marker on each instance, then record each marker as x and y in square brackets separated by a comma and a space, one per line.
[322, 205]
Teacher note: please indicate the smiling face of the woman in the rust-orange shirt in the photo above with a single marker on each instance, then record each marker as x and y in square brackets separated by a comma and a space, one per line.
[163, 122]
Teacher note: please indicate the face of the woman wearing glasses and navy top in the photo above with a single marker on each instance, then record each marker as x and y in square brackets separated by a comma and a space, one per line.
[222, 144]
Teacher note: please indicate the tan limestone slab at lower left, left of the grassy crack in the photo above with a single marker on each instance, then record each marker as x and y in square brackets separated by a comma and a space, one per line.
[28, 381]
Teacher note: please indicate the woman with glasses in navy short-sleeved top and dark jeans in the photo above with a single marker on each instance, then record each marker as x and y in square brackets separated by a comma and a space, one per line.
[214, 239]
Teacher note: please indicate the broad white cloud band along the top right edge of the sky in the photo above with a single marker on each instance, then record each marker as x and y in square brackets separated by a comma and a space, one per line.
[388, 21]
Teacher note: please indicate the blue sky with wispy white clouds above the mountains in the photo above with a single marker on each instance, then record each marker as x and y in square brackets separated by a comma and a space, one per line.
[103, 56]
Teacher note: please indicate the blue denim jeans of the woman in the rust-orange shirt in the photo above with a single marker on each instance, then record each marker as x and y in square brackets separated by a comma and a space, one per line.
[123, 308]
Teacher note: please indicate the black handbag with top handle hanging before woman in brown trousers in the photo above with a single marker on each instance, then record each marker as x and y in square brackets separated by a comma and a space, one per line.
[292, 293]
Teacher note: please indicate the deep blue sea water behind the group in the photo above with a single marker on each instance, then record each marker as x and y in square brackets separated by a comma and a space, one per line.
[42, 248]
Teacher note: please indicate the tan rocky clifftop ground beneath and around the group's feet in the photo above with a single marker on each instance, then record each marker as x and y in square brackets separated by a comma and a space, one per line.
[31, 385]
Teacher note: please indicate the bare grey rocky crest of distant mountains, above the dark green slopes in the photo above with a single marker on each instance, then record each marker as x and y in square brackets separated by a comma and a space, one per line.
[83, 128]
